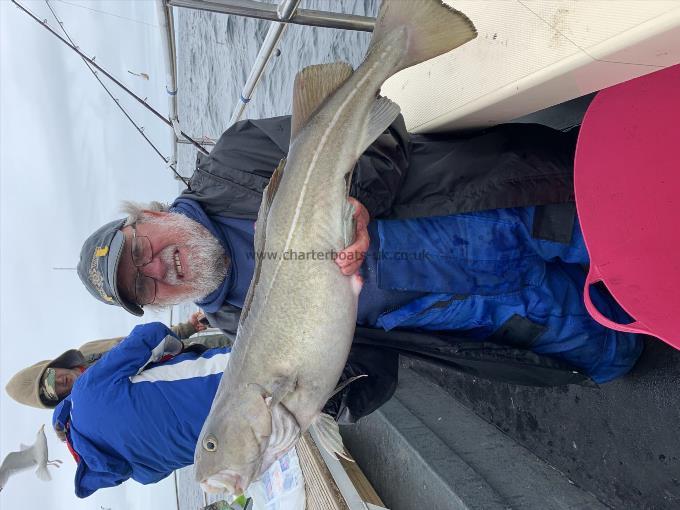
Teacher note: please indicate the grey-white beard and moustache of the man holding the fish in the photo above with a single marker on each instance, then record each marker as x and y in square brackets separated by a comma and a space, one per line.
[205, 256]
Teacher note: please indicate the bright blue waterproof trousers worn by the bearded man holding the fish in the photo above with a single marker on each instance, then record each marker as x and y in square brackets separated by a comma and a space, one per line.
[478, 270]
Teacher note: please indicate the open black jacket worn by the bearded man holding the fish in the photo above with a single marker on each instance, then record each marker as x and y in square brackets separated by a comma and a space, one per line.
[402, 176]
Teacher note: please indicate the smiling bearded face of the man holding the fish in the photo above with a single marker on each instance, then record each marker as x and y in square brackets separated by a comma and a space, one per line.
[187, 263]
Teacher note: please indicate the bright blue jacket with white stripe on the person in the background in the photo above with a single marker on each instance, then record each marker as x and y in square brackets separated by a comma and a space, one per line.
[132, 415]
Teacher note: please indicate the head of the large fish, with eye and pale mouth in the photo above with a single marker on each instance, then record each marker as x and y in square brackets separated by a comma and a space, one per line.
[233, 441]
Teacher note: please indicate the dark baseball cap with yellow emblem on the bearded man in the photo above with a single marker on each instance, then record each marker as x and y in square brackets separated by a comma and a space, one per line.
[98, 266]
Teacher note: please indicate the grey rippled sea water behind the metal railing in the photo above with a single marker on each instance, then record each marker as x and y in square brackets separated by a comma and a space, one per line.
[215, 53]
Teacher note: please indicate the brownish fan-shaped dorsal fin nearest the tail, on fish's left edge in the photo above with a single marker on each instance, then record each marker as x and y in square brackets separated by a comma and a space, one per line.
[313, 85]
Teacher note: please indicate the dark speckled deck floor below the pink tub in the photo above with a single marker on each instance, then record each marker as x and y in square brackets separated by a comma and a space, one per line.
[618, 441]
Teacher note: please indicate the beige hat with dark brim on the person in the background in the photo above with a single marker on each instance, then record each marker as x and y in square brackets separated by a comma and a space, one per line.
[24, 386]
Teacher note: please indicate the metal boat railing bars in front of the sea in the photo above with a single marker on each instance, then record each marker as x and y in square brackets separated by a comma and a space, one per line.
[280, 15]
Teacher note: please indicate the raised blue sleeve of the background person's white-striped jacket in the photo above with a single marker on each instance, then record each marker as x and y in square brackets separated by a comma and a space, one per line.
[146, 343]
